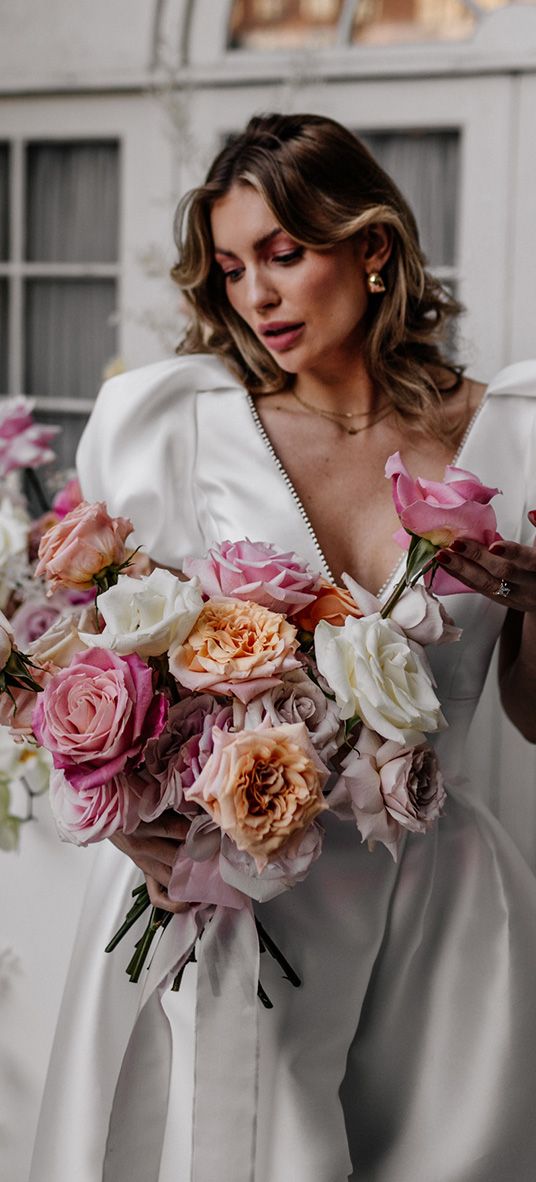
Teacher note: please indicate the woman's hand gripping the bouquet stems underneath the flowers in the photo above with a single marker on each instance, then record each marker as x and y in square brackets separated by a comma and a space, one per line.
[153, 847]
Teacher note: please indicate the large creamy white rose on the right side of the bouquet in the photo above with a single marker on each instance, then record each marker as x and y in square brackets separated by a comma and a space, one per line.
[382, 677]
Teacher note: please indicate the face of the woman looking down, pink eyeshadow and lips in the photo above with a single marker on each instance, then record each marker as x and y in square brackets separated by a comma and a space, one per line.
[307, 307]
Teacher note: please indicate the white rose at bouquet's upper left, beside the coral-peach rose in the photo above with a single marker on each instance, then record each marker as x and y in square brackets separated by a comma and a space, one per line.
[147, 615]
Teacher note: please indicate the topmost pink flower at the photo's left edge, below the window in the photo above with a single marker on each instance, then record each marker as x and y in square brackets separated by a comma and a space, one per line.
[23, 443]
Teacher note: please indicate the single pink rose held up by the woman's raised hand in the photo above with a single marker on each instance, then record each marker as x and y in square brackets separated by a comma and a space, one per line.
[441, 511]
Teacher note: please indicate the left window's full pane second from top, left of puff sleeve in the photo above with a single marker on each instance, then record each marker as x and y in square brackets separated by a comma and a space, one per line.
[70, 336]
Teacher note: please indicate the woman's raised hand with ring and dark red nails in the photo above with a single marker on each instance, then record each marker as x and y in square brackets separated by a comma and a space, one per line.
[506, 564]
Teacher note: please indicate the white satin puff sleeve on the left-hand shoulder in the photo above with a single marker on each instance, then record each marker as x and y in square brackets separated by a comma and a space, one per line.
[138, 454]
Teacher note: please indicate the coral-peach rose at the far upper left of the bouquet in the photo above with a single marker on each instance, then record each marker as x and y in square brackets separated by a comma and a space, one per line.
[83, 547]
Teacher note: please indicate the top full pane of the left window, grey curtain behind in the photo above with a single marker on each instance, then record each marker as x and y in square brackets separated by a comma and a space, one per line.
[73, 203]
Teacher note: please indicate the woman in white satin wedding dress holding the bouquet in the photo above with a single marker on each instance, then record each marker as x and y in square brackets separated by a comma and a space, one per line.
[315, 350]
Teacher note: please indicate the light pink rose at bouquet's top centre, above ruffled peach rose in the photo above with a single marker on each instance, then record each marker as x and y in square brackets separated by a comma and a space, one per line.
[255, 571]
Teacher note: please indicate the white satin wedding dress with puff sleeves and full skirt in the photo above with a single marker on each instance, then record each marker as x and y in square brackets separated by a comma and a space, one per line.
[409, 1055]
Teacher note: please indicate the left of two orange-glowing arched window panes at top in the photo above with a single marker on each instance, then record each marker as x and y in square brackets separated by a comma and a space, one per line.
[283, 24]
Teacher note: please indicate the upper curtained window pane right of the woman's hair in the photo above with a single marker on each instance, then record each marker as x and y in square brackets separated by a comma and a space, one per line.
[425, 166]
